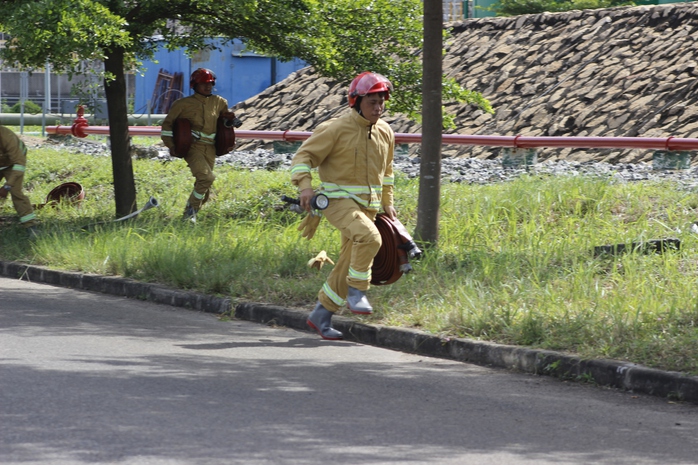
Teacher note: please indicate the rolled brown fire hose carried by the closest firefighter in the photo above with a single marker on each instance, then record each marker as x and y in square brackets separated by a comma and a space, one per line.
[392, 259]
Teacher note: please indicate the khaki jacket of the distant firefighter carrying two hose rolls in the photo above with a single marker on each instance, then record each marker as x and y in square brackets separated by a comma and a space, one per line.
[201, 111]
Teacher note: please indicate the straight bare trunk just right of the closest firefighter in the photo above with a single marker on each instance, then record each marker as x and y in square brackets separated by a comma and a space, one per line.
[427, 230]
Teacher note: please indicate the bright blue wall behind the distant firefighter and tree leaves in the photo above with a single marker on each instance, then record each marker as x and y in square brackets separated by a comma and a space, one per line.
[239, 75]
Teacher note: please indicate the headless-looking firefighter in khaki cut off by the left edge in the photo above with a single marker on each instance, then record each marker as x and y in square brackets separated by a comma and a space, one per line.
[13, 162]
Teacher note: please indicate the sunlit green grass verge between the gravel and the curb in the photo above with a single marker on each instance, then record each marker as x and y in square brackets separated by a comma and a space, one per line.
[514, 261]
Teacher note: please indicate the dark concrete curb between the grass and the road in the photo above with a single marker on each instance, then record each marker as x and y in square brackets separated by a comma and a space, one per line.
[621, 375]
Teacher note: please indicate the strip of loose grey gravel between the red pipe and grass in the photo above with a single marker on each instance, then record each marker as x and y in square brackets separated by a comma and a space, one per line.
[468, 170]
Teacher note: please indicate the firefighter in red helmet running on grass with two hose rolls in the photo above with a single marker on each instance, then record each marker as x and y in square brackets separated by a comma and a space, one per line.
[202, 109]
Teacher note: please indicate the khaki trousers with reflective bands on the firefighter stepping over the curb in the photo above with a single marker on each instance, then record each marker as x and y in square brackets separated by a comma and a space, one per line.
[361, 241]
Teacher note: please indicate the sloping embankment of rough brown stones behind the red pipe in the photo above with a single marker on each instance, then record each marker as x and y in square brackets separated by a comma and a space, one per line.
[627, 71]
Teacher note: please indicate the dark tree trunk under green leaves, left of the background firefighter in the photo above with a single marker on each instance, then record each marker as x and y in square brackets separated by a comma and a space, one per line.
[117, 109]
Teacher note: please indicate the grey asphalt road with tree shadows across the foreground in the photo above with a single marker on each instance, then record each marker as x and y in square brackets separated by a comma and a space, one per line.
[89, 378]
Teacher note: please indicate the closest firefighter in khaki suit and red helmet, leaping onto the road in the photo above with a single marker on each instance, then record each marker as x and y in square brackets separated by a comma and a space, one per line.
[354, 158]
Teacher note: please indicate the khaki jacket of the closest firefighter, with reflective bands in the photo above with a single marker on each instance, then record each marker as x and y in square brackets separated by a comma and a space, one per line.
[354, 159]
